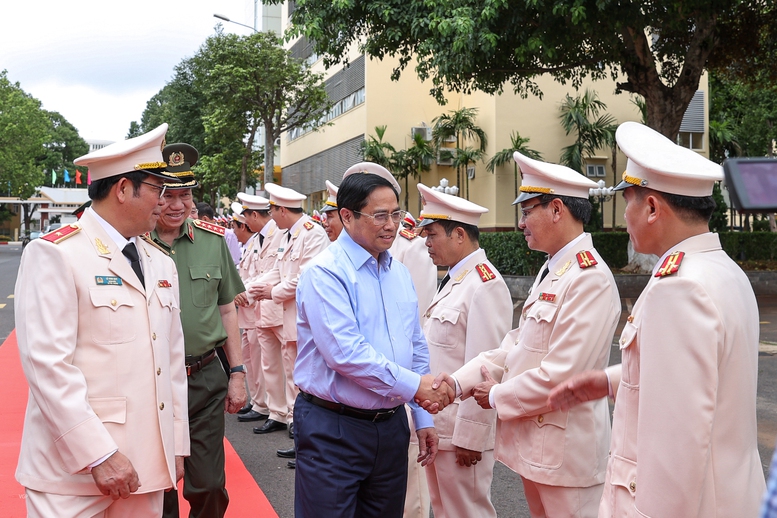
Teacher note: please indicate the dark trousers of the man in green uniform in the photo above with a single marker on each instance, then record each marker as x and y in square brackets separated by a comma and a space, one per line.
[204, 480]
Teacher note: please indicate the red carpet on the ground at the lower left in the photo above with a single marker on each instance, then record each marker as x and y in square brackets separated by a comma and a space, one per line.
[246, 499]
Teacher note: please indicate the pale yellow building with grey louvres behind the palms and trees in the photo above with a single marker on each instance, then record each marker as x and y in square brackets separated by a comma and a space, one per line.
[365, 97]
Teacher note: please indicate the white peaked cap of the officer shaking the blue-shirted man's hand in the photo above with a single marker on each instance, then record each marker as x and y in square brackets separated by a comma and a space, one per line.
[538, 178]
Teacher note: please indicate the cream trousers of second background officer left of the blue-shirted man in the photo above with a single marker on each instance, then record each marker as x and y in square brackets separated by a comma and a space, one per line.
[273, 369]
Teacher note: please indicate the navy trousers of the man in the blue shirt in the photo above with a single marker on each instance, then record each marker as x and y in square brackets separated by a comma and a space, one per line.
[348, 467]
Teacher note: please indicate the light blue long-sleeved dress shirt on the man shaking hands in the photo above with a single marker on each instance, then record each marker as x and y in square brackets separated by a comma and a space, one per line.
[359, 340]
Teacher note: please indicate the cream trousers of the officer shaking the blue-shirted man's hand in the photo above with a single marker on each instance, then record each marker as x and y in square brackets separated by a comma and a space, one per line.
[558, 501]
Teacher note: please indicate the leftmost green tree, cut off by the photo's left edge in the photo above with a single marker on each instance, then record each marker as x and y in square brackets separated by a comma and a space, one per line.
[24, 129]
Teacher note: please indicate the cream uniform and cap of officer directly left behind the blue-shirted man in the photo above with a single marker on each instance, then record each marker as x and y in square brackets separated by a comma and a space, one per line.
[300, 244]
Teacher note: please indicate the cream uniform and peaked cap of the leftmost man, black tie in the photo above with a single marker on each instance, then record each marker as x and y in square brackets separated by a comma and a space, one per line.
[103, 354]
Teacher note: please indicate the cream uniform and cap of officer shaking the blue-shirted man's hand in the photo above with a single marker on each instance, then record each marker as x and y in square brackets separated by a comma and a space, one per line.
[566, 327]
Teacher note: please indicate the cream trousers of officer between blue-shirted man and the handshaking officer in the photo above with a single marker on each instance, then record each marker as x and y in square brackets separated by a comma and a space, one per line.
[460, 491]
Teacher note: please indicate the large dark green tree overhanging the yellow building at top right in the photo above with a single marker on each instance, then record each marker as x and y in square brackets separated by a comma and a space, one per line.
[661, 47]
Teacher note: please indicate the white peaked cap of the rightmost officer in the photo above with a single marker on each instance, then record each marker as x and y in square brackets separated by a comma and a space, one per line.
[656, 162]
